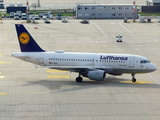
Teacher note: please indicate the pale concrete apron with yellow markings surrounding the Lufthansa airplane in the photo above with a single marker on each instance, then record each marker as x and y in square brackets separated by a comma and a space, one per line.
[43, 94]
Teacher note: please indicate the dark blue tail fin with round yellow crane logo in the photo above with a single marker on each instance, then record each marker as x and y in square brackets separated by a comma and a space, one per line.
[26, 42]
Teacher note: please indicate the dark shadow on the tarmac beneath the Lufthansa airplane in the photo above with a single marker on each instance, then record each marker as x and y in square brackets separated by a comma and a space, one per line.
[56, 86]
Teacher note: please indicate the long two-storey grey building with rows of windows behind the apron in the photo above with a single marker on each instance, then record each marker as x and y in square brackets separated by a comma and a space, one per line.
[103, 11]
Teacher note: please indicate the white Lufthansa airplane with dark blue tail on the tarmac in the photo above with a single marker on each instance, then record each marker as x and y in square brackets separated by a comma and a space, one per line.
[91, 65]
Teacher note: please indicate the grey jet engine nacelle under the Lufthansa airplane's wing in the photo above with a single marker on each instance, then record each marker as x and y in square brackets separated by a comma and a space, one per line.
[98, 75]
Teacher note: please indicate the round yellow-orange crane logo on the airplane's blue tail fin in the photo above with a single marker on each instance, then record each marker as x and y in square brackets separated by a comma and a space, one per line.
[24, 38]
